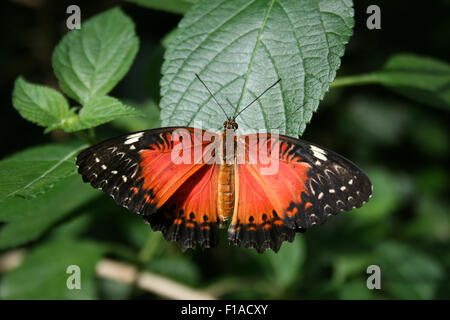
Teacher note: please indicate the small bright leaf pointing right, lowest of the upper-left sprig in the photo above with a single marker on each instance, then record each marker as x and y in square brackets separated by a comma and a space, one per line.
[100, 110]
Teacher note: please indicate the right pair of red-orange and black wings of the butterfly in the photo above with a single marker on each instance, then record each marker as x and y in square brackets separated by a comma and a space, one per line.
[289, 186]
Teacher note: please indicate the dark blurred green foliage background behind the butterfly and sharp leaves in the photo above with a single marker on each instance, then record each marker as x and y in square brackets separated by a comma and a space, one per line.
[401, 144]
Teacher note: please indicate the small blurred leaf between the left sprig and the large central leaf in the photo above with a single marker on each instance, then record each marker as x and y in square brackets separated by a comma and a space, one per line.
[149, 120]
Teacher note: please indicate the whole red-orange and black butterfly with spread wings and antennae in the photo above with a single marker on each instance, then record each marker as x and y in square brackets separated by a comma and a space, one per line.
[189, 182]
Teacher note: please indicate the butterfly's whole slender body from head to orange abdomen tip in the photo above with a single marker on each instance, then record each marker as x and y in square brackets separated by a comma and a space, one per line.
[226, 188]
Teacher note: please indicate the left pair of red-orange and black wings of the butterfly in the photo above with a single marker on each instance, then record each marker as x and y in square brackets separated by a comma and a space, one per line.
[167, 175]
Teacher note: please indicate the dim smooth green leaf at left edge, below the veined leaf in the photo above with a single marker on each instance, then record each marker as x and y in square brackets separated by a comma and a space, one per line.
[29, 219]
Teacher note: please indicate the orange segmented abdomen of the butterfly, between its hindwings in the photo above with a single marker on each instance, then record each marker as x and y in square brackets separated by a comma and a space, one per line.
[225, 196]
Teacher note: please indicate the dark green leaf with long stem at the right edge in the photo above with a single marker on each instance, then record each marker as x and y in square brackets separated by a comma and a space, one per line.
[423, 79]
